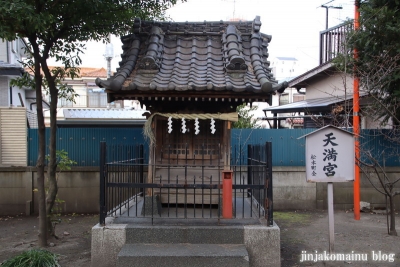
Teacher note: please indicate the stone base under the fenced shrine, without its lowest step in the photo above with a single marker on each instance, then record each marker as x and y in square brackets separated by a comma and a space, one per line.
[262, 242]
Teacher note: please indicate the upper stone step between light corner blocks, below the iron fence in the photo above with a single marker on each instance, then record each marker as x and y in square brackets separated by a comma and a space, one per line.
[185, 234]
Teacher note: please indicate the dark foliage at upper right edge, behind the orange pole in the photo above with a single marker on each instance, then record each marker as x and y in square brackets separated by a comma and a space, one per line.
[377, 60]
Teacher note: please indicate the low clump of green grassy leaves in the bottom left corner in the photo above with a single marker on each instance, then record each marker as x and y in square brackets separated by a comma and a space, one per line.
[33, 258]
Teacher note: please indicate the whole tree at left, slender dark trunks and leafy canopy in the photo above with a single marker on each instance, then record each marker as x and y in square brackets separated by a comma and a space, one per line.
[59, 29]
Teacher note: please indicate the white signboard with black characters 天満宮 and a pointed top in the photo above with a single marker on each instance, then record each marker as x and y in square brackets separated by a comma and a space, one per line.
[330, 155]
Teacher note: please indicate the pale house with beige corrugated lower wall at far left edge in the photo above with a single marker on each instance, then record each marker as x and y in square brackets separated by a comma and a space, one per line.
[14, 102]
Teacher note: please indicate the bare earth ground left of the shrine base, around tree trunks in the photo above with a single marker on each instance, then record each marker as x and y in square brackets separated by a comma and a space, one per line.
[19, 233]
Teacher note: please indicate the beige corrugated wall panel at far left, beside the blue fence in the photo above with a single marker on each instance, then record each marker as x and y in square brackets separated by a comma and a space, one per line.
[13, 133]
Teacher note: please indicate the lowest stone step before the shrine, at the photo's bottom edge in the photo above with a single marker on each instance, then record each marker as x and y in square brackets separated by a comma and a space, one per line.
[183, 254]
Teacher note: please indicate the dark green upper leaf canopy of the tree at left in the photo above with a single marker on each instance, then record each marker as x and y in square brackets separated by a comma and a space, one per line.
[72, 21]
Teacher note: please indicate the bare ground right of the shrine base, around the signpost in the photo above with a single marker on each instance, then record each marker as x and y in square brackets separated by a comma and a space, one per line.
[305, 232]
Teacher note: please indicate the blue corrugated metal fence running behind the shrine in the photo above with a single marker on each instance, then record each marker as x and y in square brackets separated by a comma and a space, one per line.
[82, 144]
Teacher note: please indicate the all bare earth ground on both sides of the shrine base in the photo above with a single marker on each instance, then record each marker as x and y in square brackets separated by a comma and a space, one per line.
[300, 231]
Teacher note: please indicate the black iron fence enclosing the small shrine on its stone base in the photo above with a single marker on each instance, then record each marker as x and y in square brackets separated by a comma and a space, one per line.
[180, 187]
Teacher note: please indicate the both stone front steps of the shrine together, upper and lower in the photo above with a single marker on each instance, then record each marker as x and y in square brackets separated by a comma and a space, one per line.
[194, 246]
